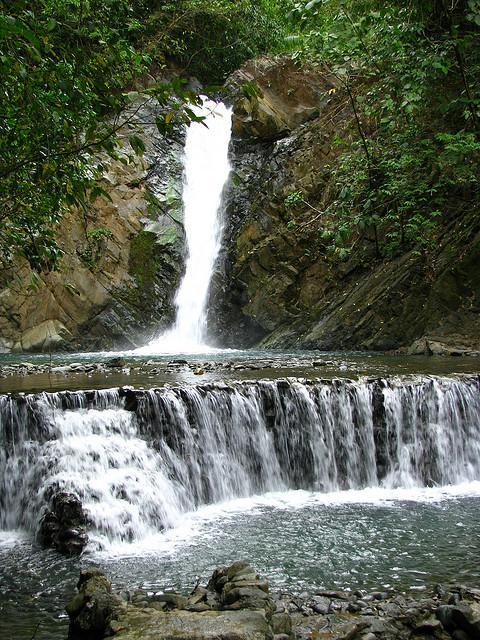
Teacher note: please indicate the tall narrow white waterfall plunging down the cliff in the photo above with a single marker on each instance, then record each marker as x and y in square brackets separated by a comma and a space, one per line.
[206, 171]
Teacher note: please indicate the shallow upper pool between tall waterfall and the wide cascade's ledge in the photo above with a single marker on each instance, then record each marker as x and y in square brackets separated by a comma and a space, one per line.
[300, 364]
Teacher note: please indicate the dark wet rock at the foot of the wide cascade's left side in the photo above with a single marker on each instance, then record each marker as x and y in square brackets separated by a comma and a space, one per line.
[64, 527]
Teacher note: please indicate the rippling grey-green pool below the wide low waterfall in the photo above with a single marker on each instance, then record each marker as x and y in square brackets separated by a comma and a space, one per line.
[406, 539]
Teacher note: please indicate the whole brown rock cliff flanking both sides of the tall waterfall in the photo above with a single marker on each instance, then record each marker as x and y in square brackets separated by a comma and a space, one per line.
[275, 284]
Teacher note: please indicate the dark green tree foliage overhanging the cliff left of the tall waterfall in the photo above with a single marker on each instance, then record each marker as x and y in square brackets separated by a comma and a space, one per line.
[64, 66]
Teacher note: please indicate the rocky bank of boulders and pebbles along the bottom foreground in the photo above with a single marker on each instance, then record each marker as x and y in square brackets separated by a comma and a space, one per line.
[236, 603]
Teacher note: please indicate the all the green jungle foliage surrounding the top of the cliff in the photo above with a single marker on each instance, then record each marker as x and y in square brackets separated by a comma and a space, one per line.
[72, 73]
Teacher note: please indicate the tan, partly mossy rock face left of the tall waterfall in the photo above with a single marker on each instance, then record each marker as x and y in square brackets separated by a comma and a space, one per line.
[123, 259]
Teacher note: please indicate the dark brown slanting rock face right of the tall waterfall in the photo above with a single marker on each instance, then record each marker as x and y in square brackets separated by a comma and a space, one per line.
[276, 283]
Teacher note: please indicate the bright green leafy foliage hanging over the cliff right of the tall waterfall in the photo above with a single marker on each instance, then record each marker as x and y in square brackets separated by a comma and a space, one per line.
[411, 73]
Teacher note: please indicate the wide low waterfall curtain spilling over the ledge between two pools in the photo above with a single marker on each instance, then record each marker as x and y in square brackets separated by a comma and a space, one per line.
[139, 459]
